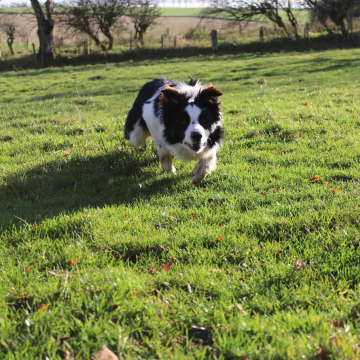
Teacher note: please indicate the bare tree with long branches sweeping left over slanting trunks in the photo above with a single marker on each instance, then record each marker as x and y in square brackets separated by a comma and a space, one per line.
[242, 10]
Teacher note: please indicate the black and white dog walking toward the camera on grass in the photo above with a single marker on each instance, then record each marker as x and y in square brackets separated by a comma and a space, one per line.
[183, 119]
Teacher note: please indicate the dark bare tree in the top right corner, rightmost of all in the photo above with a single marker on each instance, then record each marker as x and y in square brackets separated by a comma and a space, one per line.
[337, 11]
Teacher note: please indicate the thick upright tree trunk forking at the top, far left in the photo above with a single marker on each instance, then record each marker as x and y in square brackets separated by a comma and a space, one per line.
[45, 28]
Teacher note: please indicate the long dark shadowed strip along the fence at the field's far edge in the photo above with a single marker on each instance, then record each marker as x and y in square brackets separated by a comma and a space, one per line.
[319, 43]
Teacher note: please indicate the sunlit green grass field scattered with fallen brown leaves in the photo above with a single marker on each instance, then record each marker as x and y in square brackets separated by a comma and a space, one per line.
[266, 253]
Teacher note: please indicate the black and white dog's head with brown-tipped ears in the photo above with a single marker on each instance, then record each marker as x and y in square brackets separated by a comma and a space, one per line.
[191, 116]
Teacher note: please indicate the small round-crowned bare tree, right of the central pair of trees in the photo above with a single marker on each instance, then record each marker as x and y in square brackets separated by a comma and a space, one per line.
[143, 15]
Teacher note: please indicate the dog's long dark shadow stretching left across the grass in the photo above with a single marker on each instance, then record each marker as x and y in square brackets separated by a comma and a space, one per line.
[68, 185]
